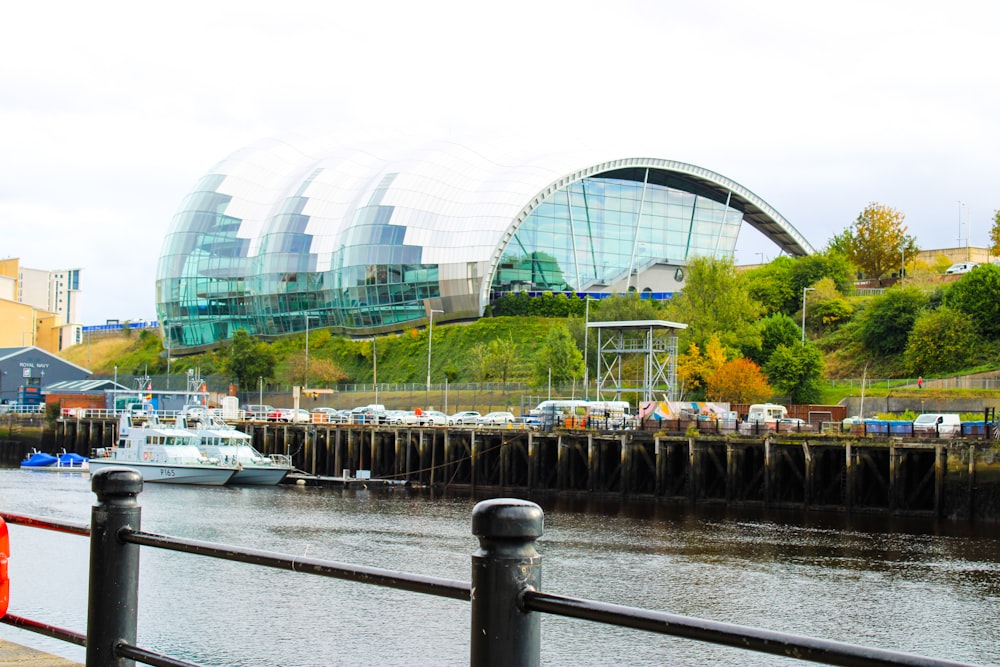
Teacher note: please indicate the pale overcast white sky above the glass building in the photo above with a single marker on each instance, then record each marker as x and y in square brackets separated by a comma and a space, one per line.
[110, 112]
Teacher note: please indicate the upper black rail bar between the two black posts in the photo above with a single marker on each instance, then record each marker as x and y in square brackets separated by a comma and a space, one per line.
[448, 588]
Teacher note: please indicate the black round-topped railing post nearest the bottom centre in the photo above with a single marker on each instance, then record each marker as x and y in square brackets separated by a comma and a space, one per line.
[505, 565]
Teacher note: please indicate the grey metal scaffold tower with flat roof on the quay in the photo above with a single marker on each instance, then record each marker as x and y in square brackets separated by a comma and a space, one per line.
[646, 350]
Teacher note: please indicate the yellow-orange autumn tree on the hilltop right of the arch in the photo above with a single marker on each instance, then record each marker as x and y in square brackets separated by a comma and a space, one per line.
[877, 241]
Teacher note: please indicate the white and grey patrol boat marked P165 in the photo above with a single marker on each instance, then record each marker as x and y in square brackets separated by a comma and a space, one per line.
[161, 453]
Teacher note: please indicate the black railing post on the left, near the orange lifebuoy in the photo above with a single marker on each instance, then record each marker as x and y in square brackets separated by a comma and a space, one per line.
[114, 567]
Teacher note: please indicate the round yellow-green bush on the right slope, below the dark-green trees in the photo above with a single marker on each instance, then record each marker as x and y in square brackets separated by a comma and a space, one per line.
[942, 341]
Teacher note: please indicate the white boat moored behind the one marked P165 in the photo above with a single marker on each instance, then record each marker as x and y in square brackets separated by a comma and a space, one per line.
[229, 445]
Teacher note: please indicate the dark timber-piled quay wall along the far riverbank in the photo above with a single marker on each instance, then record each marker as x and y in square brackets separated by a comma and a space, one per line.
[955, 479]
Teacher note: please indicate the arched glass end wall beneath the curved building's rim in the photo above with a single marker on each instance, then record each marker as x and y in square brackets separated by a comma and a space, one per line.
[607, 231]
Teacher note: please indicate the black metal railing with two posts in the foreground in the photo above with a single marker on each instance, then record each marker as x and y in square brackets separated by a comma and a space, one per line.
[506, 603]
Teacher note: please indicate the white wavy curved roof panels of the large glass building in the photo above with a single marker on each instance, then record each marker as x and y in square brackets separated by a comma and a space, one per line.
[442, 187]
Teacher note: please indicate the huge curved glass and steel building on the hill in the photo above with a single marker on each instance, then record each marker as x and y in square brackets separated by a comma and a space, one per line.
[277, 239]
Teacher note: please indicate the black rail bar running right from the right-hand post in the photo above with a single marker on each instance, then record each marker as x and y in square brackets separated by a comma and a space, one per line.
[727, 634]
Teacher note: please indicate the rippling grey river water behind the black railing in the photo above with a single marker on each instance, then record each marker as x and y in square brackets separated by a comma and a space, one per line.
[931, 588]
